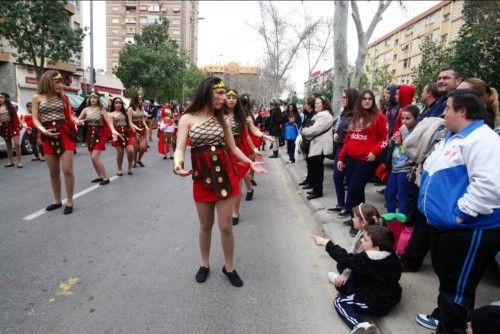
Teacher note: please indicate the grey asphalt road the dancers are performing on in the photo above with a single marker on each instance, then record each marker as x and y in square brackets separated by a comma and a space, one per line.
[125, 260]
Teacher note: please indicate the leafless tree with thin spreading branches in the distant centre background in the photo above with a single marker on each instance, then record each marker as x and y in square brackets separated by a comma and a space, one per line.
[281, 45]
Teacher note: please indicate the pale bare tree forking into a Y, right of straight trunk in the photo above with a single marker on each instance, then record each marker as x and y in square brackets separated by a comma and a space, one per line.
[364, 37]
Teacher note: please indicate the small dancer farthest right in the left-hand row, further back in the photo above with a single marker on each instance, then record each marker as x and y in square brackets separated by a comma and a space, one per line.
[138, 116]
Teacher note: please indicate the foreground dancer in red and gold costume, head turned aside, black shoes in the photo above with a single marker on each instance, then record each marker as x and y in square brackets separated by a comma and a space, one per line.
[215, 184]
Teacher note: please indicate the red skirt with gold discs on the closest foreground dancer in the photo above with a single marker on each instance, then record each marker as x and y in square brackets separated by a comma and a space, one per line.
[214, 179]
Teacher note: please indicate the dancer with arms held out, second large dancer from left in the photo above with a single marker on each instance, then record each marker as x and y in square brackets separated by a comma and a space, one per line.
[97, 133]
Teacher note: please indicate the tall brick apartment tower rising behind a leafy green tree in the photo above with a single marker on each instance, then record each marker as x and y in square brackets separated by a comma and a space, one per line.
[125, 18]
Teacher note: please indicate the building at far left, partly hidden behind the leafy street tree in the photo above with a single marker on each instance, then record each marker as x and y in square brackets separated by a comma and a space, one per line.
[20, 81]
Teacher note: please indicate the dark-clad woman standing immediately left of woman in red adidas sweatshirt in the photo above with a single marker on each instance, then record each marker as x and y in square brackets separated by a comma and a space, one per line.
[348, 99]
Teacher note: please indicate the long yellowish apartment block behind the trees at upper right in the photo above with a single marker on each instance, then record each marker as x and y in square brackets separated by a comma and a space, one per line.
[399, 50]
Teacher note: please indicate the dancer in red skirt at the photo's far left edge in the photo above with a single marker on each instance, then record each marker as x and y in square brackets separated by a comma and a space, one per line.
[9, 129]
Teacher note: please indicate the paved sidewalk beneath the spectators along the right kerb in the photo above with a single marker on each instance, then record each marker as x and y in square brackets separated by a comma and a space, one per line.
[420, 289]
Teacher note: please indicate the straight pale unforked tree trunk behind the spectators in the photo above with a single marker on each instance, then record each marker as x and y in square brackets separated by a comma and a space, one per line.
[340, 52]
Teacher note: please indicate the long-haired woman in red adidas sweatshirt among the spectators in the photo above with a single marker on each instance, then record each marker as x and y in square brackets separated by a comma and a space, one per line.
[365, 139]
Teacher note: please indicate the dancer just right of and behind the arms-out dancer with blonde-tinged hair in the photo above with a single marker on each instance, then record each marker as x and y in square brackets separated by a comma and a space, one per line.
[122, 124]
